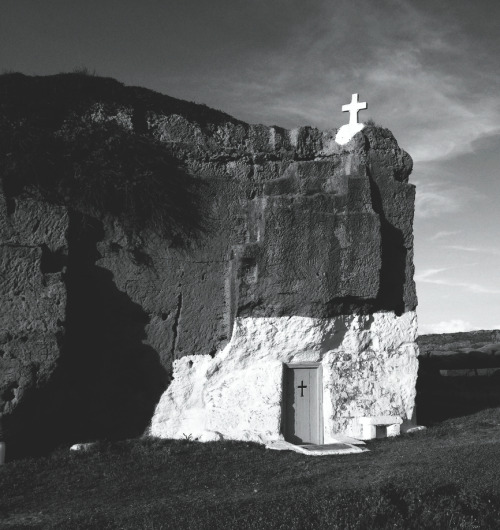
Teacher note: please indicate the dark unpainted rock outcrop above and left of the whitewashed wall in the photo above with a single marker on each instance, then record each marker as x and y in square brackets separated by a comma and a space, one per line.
[288, 224]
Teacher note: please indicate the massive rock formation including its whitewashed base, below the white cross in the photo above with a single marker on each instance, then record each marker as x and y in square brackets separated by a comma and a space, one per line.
[297, 249]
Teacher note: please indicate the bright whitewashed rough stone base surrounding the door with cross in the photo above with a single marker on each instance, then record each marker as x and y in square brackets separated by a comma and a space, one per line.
[369, 367]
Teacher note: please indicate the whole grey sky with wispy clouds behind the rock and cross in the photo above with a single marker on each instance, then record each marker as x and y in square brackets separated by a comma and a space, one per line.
[428, 69]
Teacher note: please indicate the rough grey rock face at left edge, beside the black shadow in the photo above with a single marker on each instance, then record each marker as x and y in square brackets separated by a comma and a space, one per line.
[33, 300]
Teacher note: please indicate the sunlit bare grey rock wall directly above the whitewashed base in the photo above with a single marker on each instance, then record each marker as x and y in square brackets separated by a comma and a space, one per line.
[355, 244]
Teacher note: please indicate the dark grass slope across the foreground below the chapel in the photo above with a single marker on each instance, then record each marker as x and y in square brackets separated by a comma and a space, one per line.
[444, 477]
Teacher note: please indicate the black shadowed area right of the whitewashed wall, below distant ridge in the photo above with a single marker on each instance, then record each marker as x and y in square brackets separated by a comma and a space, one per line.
[442, 397]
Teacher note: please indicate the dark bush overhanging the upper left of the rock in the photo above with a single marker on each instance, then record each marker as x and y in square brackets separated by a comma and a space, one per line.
[54, 149]
